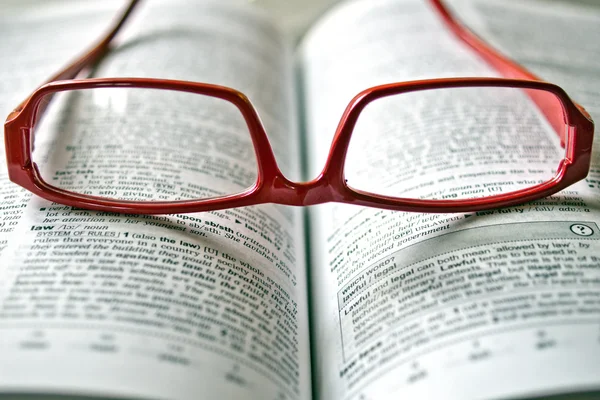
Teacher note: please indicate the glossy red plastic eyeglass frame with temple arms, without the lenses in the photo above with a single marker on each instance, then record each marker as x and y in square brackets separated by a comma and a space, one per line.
[330, 186]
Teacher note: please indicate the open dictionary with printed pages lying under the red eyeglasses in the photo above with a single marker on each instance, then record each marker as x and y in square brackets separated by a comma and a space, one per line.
[276, 302]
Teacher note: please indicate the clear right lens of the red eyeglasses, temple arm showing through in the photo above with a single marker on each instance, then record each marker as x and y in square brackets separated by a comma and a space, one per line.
[455, 143]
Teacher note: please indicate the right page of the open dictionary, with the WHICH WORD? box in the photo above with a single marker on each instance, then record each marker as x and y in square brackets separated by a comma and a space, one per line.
[492, 304]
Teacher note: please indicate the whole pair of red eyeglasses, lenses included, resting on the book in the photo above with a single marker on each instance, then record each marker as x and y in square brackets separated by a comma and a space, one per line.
[155, 146]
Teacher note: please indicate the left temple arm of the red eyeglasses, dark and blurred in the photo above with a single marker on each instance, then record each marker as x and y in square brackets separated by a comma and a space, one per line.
[89, 57]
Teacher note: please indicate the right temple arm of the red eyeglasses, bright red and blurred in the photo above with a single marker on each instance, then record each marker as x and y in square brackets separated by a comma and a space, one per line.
[508, 68]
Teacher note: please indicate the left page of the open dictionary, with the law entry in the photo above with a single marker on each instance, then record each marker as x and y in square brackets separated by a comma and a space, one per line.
[165, 306]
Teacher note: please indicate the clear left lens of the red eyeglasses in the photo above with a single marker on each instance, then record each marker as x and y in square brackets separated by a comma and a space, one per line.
[144, 145]
